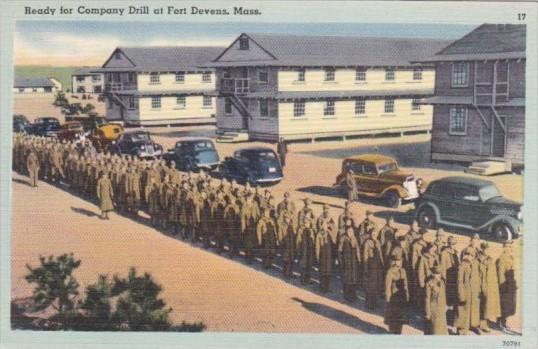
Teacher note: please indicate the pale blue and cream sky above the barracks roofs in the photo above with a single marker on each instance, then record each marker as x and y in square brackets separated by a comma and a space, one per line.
[90, 42]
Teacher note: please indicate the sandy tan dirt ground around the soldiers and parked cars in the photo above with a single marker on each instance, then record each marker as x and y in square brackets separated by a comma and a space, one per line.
[200, 285]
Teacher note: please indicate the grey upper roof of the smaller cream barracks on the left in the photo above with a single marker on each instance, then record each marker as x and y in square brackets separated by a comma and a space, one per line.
[166, 58]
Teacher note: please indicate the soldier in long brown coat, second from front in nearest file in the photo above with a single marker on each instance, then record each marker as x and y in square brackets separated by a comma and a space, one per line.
[373, 269]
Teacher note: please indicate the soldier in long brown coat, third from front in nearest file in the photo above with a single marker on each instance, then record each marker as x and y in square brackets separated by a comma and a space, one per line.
[349, 260]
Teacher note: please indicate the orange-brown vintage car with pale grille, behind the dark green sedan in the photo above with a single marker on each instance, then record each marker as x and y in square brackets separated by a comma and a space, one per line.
[378, 176]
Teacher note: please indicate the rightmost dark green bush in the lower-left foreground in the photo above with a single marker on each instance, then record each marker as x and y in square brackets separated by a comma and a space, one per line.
[138, 307]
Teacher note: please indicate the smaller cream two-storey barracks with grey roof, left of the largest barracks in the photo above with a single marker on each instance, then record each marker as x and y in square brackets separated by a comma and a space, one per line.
[160, 85]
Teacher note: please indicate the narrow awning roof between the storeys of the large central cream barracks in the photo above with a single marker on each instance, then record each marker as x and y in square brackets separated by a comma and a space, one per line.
[339, 94]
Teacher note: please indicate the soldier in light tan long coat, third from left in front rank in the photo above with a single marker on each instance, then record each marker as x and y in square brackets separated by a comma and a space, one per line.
[468, 314]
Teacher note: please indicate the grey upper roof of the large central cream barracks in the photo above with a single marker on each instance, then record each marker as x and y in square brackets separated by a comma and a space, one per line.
[303, 50]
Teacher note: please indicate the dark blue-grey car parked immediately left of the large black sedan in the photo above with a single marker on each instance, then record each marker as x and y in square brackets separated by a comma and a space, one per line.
[193, 154]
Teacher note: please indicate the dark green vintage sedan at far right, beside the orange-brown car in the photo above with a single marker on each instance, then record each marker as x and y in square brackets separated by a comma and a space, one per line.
[470, 203]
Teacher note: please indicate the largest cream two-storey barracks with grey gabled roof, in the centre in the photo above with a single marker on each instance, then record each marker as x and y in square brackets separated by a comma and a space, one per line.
[315, 87]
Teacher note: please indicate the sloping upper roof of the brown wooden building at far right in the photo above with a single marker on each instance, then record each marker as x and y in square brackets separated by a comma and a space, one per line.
[488, 41]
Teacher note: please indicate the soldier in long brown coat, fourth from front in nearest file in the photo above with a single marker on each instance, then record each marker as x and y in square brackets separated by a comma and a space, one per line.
[324, 256]
